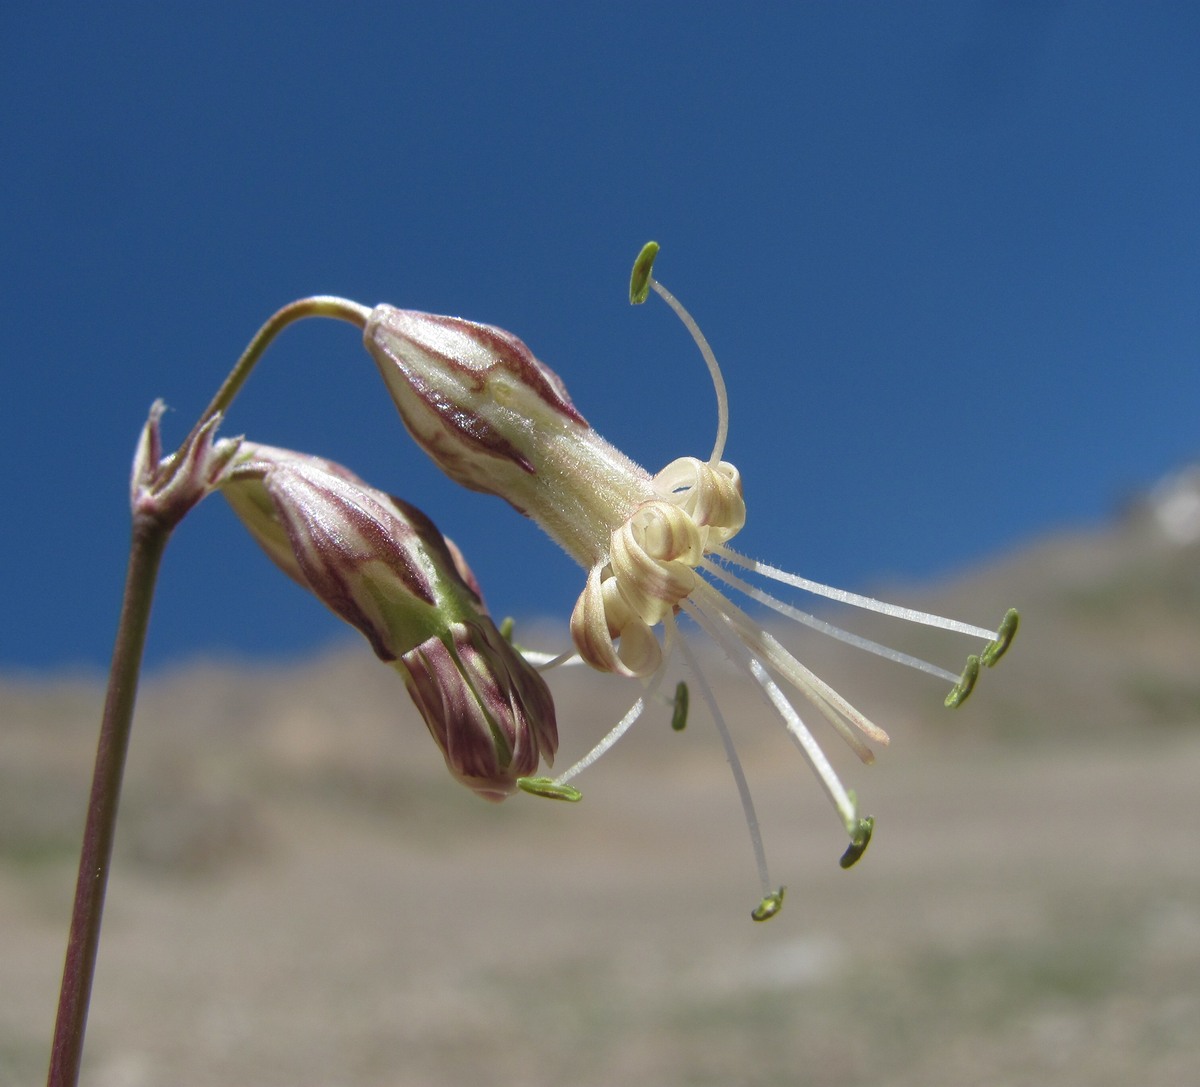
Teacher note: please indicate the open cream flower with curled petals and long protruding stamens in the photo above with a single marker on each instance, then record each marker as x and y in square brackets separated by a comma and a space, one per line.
[499, 421]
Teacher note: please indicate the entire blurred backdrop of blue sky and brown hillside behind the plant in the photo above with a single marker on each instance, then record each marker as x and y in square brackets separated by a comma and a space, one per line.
[947, 255]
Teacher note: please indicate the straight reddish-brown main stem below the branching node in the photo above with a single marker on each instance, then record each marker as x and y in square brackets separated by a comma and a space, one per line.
[151, 538]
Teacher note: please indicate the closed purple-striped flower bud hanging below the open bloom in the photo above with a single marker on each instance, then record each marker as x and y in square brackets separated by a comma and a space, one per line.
[386, 569]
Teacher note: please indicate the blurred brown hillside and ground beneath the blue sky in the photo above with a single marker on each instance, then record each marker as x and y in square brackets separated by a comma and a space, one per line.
[303, 897]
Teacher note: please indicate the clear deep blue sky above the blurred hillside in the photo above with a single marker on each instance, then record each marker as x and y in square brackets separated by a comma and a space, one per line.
[949, 255]
